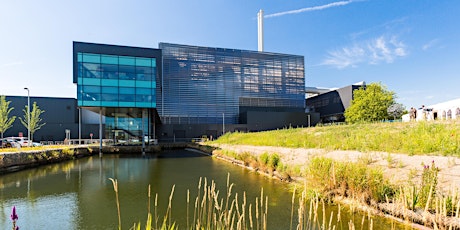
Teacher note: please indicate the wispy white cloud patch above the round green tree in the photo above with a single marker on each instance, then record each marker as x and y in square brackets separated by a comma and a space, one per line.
[374, 51]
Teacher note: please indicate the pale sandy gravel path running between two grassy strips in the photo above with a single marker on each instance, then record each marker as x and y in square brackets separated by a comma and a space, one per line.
[397, 167]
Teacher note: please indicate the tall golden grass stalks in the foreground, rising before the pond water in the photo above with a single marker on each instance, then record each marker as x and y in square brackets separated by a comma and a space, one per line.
[211, 211]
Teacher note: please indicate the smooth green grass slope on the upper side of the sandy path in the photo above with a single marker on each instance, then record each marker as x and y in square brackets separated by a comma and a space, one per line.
[439, 137]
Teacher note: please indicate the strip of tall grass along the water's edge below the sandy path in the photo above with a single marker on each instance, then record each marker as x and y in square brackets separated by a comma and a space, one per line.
[419, 200]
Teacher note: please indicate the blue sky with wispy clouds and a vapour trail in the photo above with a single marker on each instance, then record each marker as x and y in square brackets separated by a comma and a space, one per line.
[411, 46]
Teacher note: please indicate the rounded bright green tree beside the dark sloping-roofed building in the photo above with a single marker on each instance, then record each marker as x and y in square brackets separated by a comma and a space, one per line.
[370, 103]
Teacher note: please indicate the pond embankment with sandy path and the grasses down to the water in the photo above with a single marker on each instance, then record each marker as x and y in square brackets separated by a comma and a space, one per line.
[349, 179]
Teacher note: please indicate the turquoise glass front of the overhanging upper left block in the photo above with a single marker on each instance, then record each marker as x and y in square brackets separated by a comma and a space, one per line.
[116, 81]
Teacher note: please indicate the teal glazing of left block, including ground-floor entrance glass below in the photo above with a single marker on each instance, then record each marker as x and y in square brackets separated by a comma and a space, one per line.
[124, 86]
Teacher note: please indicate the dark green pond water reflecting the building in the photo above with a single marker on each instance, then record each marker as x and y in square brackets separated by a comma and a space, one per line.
[79, 195]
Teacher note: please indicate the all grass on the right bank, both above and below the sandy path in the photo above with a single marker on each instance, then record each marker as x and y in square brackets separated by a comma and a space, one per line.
[358, 180]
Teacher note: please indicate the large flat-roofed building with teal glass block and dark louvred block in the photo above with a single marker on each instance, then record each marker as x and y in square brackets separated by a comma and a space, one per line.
[181, 91]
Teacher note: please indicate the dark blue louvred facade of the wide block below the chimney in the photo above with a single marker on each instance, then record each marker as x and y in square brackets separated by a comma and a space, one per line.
[202, 85]
